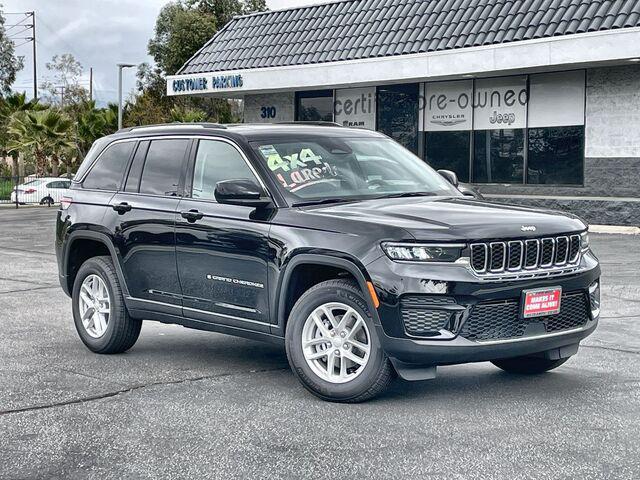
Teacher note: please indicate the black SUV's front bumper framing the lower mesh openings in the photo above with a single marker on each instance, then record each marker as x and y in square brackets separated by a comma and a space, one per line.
[459, 286]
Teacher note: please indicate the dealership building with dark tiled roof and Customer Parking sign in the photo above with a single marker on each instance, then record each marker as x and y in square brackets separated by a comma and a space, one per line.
[536, 102]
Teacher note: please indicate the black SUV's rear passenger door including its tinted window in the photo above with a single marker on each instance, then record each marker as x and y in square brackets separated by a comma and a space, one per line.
[143, 220]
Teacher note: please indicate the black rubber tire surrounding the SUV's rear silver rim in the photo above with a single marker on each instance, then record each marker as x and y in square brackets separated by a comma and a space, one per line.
[122, 331]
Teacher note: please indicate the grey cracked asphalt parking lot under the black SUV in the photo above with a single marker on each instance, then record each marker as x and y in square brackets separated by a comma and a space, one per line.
[188, 404]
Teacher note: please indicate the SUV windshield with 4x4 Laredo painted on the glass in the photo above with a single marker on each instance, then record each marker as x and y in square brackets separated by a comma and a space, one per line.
[319, 169]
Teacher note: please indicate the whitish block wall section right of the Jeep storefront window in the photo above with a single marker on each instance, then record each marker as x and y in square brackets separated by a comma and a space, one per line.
[613, 112]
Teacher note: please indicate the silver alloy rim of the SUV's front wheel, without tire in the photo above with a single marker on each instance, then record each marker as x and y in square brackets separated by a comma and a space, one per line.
[336, 342]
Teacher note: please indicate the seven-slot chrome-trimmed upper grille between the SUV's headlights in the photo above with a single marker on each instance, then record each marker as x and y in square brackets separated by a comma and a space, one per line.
[523, 255]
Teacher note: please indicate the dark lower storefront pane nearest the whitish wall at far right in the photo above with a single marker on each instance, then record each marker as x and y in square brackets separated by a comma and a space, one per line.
[556, 156]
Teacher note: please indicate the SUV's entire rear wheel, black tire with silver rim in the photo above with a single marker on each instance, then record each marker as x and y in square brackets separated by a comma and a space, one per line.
[99, 312]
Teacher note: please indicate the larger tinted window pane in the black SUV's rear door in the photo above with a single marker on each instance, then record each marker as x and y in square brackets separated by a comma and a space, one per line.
[163, 166]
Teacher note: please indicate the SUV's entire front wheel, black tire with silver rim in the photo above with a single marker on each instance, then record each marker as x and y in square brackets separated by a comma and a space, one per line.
[332, 344]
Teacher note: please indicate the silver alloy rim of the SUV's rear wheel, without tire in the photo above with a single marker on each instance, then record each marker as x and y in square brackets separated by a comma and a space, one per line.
[94, 305]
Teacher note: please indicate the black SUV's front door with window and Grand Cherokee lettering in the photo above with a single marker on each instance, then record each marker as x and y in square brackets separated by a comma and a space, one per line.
[222, 250]
